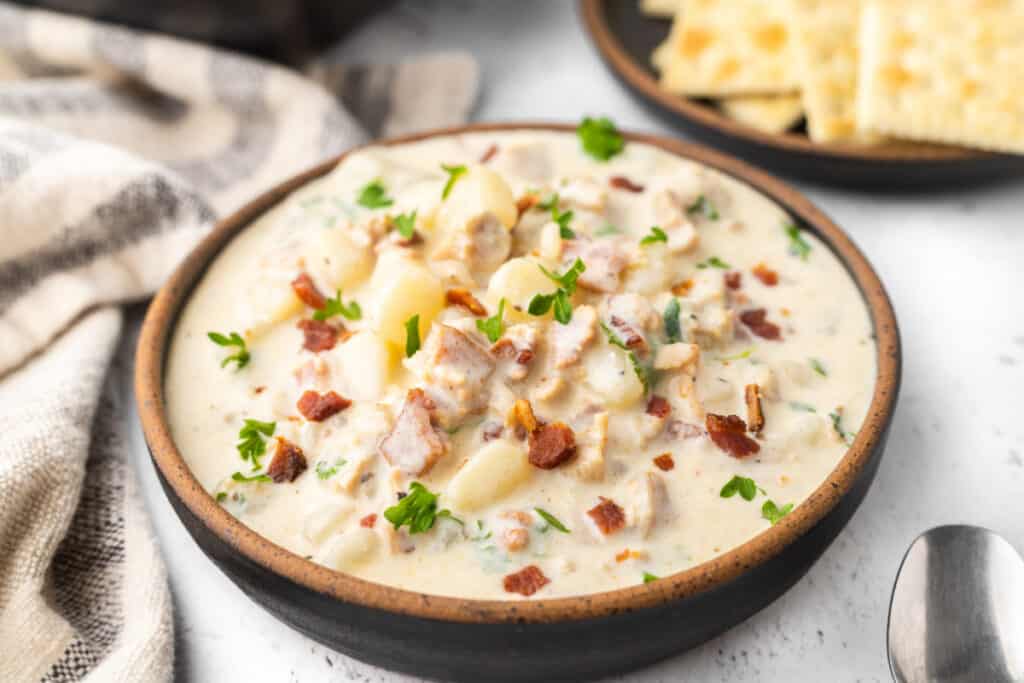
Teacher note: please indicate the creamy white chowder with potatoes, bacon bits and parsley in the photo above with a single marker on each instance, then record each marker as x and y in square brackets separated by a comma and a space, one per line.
[519, 364]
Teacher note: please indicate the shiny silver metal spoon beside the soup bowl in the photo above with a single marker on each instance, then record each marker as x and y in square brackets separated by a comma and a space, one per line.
[957, 614]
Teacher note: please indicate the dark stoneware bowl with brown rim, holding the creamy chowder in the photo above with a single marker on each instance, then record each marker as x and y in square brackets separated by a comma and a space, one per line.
[561, 639]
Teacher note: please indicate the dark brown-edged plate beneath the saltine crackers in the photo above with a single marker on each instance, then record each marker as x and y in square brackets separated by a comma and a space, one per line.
[625, 38]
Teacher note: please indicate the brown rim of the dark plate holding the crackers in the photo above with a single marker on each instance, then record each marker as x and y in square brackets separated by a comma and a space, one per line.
[623, 65]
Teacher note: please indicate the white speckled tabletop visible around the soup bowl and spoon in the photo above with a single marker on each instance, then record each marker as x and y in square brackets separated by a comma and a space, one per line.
[954, 264]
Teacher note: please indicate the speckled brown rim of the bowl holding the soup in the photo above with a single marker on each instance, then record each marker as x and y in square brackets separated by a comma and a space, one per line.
[163, 313]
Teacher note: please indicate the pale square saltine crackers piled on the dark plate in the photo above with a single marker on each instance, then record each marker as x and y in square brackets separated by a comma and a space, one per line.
[861, 71]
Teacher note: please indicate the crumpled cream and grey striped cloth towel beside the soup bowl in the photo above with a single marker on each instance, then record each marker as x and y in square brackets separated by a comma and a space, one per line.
[118, 150]
